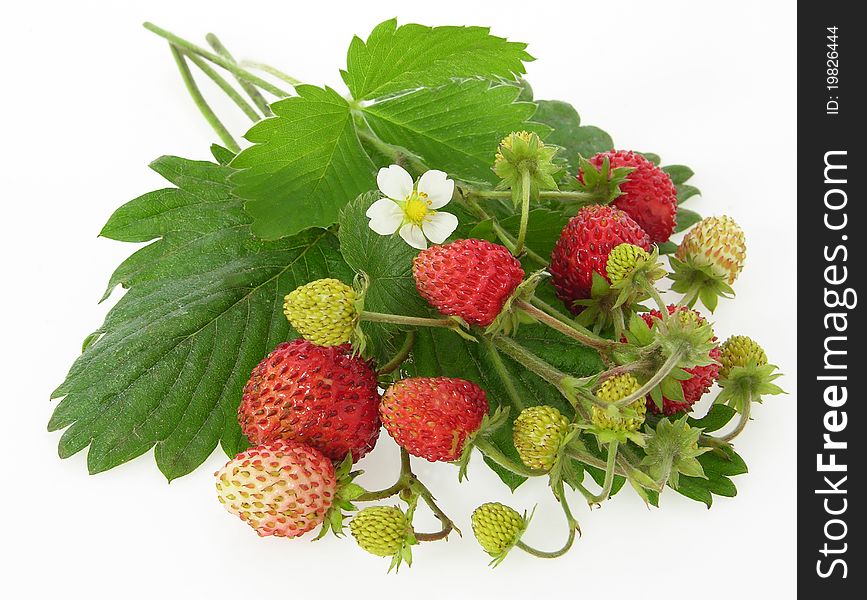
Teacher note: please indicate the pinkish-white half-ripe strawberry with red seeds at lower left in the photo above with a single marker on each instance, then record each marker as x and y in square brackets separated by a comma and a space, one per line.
[281, 488]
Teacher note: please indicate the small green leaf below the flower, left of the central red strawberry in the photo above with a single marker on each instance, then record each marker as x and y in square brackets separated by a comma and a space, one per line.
[387, 263]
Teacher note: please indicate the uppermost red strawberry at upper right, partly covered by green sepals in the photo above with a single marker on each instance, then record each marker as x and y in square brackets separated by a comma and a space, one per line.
[649, 196]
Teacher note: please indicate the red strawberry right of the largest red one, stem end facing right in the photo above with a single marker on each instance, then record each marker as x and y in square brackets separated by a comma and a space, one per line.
[432, 417]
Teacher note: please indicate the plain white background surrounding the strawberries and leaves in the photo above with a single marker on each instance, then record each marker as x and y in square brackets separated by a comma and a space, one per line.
[89, 98]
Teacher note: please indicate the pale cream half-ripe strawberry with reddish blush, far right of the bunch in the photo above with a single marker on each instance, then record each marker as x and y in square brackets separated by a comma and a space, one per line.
[716, 242]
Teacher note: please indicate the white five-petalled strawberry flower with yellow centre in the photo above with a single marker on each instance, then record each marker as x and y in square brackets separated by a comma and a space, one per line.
[412, 209]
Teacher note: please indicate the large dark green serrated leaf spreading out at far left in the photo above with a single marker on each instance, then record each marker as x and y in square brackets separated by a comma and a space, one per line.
[202, 309]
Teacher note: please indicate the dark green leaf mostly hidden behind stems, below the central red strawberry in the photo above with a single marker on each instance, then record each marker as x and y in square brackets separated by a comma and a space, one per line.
[439, 352]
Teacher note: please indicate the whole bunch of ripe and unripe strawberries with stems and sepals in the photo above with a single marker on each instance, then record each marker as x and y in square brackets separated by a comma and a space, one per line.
[315, 405]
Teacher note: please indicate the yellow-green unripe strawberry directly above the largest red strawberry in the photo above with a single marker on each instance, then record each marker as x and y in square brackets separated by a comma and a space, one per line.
[323, 311]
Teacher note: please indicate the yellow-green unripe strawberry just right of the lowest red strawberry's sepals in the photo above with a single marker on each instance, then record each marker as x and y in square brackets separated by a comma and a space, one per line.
[537, 434]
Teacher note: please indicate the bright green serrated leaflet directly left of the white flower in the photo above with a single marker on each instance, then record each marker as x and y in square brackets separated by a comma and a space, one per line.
[305, 165]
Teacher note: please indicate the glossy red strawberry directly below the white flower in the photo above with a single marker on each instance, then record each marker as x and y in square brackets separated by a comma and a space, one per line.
[470, 279]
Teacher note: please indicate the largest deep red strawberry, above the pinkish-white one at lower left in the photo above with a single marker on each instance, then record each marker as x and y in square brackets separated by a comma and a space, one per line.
[316, 395]
